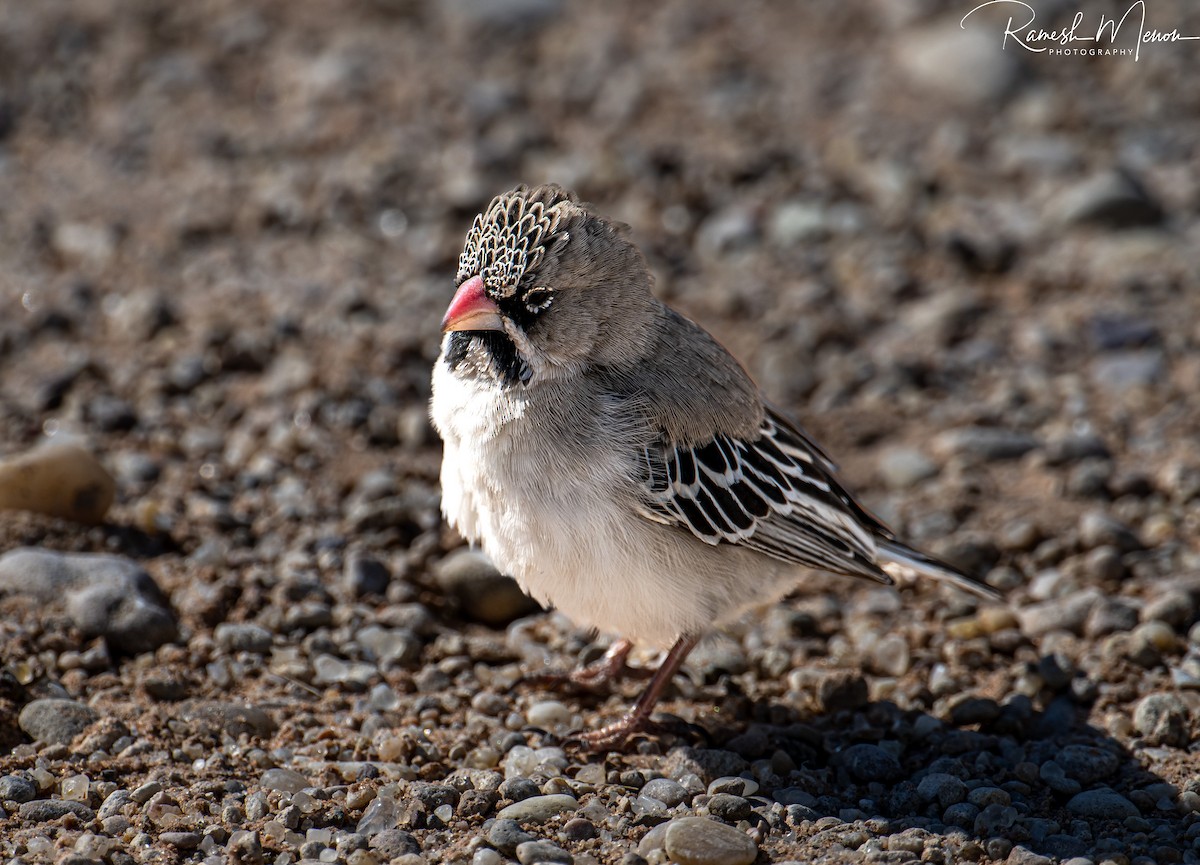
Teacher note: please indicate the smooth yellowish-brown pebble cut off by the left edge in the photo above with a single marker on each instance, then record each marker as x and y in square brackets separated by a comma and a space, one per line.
[59, 480]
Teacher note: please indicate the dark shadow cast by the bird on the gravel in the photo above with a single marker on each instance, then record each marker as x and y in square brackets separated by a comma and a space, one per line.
[919, 772]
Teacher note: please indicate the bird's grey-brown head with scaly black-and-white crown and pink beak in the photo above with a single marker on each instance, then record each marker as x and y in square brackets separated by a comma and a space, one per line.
[543, 283]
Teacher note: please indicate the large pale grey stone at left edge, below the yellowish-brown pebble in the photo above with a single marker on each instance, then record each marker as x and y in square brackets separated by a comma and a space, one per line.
[104, 596]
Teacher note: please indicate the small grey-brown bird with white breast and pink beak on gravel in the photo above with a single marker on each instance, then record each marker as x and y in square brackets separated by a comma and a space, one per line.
[616, 460]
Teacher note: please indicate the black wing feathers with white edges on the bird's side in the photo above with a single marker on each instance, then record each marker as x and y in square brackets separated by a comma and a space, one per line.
[776, 495]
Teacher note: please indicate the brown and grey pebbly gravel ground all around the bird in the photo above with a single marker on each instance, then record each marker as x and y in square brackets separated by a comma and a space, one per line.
[233, 627]
